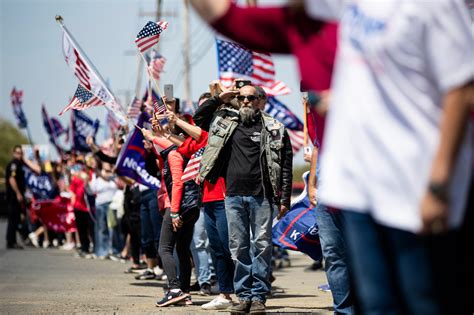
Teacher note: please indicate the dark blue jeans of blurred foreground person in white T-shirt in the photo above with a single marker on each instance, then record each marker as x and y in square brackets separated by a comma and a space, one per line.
[395, 272]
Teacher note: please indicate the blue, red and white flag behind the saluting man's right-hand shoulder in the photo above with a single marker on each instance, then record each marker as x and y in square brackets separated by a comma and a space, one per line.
[293, 125]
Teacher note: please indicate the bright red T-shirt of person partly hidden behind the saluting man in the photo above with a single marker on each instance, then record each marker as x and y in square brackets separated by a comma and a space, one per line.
[211, 192]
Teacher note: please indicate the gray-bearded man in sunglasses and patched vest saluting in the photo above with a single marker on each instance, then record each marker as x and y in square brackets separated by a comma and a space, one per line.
[252, 151]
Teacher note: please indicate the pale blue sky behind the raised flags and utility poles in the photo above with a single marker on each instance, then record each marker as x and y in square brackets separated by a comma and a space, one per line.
[31, 56]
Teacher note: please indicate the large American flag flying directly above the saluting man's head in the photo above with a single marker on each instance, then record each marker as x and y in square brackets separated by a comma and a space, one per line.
[236, 61]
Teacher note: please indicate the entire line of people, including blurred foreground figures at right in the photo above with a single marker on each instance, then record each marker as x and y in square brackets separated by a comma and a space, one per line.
[396, 165]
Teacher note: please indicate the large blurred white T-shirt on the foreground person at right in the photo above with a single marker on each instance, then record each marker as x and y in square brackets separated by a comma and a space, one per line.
[395, 60]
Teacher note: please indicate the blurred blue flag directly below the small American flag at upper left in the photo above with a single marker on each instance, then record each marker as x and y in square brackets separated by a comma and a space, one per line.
[82, 127]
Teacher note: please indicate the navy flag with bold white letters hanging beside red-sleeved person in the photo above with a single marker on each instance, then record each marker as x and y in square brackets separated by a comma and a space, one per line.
[131, 160]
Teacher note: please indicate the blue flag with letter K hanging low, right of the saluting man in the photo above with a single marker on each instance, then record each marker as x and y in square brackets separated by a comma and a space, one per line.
[298, 229]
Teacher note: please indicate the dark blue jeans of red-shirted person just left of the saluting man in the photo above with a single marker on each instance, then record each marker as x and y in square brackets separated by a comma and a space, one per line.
[216, 226]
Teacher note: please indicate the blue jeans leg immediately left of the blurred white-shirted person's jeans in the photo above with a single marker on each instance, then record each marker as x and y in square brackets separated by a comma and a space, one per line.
[331, 234]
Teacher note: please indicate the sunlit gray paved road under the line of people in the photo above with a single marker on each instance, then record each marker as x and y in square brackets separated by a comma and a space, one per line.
[53, 281]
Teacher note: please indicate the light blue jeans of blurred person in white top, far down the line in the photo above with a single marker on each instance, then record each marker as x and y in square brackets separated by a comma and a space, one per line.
[101, 230]
